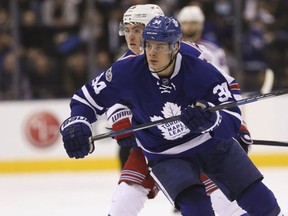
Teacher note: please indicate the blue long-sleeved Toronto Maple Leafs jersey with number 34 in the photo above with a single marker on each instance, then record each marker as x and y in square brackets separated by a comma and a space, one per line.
[150, 97]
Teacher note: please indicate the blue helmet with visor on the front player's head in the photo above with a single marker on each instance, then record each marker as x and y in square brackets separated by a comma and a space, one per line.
[163, 28]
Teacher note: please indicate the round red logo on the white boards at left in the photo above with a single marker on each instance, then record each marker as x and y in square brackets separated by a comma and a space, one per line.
[42, 129]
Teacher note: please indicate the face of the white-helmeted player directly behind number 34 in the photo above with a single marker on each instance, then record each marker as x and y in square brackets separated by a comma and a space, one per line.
[133, 36]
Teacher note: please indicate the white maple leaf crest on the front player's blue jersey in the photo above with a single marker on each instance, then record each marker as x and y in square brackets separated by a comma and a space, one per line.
[171, 130]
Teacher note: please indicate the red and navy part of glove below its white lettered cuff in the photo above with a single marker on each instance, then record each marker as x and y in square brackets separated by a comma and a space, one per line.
[124, 140]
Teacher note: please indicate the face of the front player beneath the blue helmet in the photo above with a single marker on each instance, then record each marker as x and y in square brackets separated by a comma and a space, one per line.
[158, 54]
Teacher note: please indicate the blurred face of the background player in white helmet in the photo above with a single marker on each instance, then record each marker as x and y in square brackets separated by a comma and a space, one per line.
[191, 31]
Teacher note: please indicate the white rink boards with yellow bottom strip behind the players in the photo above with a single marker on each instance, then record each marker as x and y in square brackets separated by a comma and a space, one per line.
[30, 139]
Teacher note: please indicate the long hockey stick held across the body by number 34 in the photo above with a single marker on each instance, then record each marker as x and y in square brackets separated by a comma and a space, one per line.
[177, 118]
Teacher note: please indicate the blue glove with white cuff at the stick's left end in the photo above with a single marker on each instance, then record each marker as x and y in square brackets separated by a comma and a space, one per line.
[76, 132]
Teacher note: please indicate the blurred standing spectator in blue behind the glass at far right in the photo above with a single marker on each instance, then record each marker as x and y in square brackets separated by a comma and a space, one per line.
[254, 47]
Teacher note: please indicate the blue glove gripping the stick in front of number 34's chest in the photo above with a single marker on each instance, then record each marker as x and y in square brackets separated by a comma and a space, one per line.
[198, 119]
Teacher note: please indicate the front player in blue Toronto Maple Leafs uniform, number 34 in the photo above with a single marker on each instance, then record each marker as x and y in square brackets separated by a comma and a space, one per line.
[164, 83]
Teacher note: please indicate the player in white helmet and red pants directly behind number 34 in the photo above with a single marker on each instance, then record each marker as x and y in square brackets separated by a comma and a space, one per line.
[135, 184]
